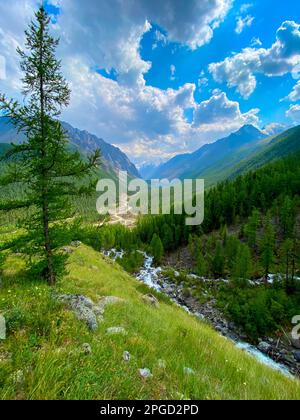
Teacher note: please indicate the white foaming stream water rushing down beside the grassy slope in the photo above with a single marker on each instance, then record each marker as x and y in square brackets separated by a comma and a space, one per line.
[151, 276]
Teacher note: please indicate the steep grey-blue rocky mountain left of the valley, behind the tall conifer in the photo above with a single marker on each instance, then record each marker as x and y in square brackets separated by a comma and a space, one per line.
[113, 159]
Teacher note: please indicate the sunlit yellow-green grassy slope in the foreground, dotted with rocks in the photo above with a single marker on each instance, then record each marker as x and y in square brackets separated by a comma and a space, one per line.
[45, 341]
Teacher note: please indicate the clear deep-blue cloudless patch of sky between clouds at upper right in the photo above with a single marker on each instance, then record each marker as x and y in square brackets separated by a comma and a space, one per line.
[190, 64]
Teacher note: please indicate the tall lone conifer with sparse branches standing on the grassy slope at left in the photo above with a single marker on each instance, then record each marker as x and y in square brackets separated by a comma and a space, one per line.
[43, 165]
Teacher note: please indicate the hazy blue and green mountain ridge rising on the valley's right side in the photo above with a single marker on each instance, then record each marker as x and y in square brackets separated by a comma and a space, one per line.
[246, 149]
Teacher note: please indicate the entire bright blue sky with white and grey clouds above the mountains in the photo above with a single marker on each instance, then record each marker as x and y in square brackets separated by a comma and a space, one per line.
[161, 78]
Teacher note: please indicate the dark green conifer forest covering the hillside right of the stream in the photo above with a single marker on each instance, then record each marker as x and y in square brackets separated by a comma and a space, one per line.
[251, 231]
